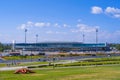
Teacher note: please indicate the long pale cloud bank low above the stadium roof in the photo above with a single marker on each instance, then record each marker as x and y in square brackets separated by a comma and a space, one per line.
[62, 32]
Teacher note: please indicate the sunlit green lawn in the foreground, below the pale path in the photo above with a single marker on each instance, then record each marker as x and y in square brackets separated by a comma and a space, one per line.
[75, 73]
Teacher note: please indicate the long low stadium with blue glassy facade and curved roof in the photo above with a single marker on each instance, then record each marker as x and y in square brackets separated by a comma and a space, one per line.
[62, 46]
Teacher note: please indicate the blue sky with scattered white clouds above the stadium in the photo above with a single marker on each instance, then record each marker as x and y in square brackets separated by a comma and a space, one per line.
[60, 21]
